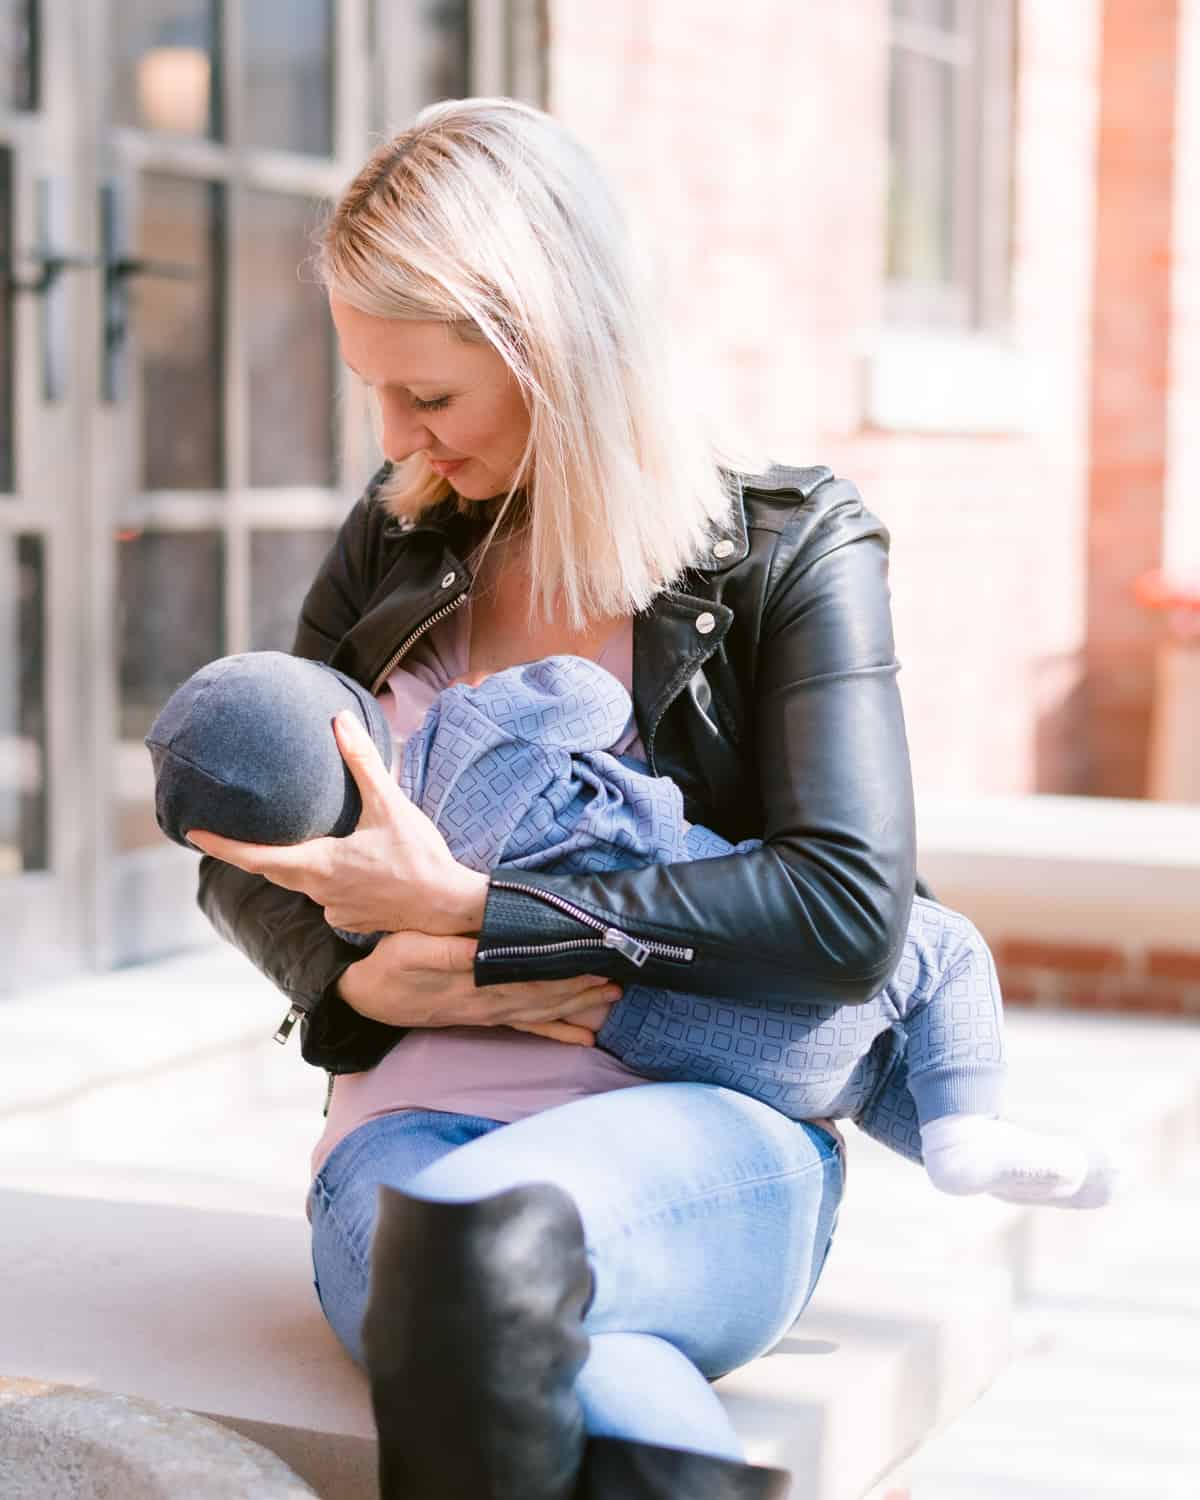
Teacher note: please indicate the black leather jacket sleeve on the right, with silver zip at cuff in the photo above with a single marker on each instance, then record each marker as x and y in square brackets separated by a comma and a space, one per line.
[820, 913]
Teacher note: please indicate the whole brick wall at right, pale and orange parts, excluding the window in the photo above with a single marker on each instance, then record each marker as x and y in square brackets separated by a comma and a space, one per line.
[751, 143]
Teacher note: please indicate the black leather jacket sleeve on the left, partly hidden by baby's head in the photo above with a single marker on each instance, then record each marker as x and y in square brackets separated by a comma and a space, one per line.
[281, 932]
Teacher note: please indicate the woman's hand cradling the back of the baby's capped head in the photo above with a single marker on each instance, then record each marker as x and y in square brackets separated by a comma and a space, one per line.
[394, 874]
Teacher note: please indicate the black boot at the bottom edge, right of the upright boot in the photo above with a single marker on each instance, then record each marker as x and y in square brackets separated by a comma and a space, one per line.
[617, 1469]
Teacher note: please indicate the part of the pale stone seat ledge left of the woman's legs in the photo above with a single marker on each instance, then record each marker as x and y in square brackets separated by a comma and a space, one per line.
[205, 1310]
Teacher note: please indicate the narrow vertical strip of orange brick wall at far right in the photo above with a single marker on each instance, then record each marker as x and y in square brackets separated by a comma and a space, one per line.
[1133, 292]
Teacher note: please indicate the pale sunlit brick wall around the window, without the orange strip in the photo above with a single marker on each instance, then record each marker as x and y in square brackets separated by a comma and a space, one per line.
[752, 143]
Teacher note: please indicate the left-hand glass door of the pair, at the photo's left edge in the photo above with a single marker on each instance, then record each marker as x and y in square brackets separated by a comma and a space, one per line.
[46, 844]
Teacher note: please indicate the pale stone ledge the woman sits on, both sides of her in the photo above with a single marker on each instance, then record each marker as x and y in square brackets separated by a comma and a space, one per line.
[208, 1312]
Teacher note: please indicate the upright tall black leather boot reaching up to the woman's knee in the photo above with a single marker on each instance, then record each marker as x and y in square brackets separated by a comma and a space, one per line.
[473, 1339]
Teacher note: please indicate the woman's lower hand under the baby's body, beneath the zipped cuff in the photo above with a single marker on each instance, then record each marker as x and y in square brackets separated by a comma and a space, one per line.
[419, 980]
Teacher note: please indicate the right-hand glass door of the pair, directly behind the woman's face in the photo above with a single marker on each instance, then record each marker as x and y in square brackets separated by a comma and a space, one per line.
[220, 458]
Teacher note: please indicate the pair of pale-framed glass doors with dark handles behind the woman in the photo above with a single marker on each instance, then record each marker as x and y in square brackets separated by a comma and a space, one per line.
[178, 445]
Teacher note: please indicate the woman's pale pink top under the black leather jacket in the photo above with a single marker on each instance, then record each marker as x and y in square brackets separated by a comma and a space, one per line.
[490, 1072]
